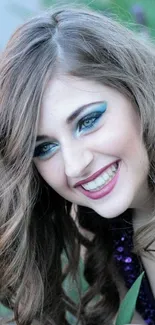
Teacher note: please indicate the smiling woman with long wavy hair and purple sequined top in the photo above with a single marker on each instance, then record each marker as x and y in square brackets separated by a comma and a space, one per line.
[77, 158]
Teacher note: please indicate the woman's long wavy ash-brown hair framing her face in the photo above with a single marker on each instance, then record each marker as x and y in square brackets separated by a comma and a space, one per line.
[36, 227]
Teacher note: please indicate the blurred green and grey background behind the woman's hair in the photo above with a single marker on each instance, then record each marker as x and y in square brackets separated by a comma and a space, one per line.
[139, 15]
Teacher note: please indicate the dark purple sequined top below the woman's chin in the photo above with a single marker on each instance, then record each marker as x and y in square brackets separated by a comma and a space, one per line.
[130, 266]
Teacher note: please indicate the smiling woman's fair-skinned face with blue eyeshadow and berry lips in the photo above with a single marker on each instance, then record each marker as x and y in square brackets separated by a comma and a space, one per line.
[89, 147]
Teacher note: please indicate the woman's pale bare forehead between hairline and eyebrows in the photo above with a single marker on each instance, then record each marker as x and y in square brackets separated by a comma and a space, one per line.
[65, 94]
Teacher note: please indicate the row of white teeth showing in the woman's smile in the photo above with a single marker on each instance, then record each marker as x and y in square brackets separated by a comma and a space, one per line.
[101, 180]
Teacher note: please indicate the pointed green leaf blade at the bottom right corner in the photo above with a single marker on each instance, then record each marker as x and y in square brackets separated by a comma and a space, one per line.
[127, 307]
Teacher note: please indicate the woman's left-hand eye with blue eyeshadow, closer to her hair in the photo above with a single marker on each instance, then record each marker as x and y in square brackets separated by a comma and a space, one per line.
[45, 150]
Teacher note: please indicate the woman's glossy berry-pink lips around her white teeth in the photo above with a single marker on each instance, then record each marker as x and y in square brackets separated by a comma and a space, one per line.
[103, 191]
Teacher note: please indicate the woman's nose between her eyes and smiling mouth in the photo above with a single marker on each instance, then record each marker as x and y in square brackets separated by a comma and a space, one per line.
[76, 159]
